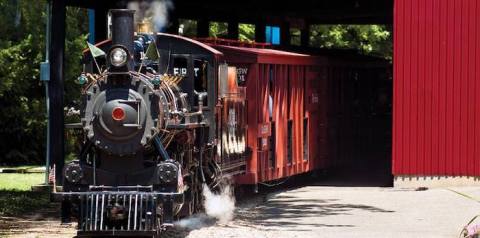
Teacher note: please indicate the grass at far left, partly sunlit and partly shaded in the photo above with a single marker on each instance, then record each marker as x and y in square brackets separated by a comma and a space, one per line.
[16, 197]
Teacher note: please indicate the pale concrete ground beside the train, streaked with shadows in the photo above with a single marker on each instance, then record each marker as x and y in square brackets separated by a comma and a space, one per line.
[322, 211]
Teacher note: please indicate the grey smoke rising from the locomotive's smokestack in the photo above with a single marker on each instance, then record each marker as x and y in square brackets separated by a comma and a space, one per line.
[155, 11]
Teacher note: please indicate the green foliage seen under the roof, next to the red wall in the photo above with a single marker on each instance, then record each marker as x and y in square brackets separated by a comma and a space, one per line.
[367, 39]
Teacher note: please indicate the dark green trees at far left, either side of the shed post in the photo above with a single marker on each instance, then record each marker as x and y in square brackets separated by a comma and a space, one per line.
[22, 96]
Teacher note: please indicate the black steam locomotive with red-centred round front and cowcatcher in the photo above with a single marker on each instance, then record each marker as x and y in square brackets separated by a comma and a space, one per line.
[148, 139]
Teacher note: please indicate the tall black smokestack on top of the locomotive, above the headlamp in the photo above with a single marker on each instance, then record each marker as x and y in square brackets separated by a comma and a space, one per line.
[122, 28]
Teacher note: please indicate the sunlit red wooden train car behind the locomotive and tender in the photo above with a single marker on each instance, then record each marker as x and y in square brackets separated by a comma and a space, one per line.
[286, 129]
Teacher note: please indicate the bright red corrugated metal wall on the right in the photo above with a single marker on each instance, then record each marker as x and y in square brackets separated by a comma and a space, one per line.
[436, 125]
